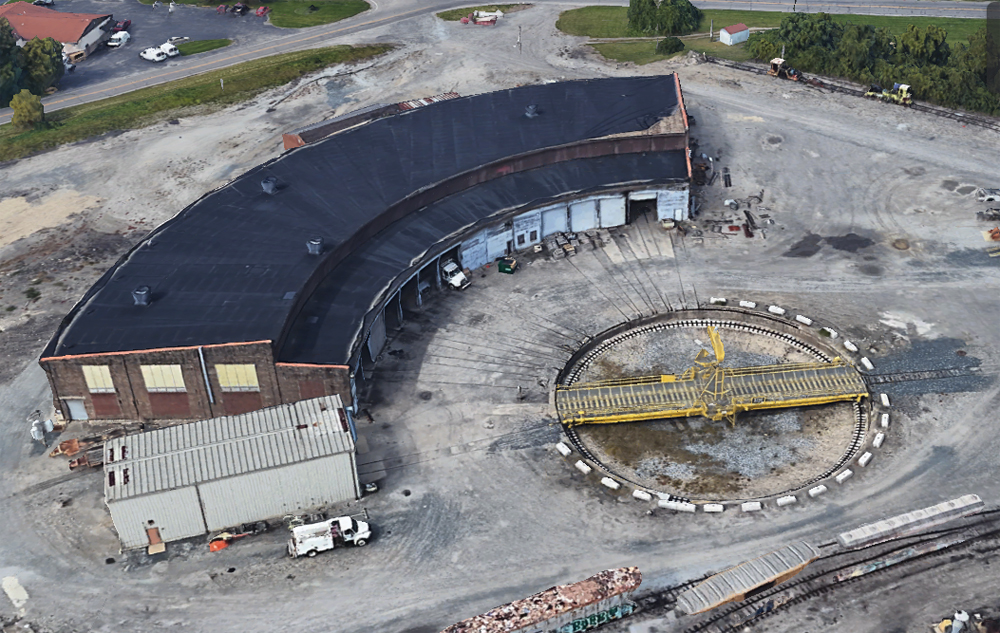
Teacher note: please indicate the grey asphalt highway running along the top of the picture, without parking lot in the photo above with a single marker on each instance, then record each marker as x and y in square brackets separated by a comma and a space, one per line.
[395, 11]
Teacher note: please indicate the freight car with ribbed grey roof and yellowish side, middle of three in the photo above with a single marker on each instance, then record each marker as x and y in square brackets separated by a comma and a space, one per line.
[734, 583]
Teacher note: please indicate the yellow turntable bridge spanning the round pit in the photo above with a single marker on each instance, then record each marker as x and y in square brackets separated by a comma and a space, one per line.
[709, 390]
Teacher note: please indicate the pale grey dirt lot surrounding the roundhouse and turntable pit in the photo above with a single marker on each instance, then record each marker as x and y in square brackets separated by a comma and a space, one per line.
[476, 507]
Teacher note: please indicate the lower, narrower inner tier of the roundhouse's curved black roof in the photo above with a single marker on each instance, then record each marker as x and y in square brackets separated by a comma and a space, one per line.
[327, 327]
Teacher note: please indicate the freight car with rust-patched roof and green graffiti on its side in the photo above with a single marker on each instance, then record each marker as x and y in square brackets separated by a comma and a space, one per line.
[580, 606]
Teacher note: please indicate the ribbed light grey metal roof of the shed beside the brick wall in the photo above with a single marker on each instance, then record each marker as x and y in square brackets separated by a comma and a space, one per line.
[193, 453]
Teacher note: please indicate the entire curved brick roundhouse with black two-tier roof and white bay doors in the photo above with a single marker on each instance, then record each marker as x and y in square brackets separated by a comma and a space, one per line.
[280, 286]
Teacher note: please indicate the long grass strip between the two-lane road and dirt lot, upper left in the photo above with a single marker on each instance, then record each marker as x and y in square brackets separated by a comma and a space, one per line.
[149, 105]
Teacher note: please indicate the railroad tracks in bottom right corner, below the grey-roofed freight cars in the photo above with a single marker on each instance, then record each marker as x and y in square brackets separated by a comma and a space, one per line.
[740, 616]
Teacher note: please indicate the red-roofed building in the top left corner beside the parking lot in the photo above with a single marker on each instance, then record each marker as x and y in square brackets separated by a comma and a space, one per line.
[78, 32]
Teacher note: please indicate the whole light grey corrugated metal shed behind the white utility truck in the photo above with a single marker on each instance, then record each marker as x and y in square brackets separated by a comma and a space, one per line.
[186, 480]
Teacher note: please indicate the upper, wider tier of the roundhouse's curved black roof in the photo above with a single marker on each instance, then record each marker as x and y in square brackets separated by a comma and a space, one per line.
[230, 267]
